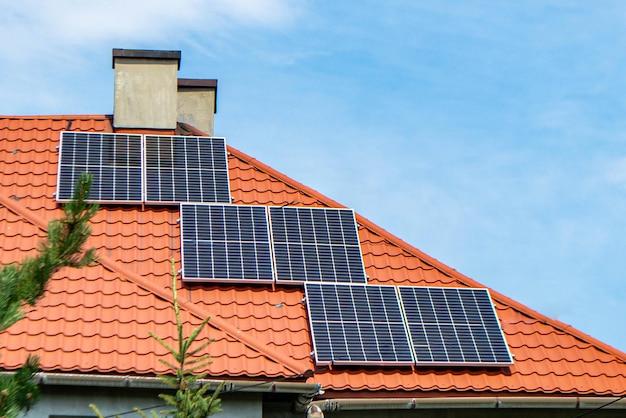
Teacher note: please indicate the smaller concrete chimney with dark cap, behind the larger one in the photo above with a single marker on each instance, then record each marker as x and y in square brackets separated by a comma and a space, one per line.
[197, 103]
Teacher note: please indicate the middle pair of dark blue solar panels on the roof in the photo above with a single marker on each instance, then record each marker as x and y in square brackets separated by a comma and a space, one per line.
[304, 245]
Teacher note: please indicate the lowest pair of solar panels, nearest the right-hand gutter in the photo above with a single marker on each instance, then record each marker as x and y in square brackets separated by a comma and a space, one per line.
[369, 324]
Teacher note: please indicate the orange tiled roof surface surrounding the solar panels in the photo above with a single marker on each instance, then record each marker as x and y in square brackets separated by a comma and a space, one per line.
[97, 319]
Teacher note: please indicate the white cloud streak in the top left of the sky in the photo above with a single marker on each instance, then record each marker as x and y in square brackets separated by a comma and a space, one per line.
[30, 28]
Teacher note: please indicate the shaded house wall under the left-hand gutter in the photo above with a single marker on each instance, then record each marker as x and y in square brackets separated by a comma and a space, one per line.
[64, 402]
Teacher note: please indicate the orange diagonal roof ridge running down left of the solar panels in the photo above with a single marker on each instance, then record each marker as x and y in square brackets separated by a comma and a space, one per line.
[189, 306]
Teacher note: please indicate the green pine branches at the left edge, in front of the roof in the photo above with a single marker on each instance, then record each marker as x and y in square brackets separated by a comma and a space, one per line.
[23, 284]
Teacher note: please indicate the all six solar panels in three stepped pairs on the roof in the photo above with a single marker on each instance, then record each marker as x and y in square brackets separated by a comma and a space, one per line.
[351, 322]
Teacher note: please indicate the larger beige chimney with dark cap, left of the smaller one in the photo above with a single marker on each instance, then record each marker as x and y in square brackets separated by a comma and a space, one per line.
[145, 88]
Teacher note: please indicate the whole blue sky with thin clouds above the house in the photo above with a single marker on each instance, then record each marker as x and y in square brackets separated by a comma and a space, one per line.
[490, 135]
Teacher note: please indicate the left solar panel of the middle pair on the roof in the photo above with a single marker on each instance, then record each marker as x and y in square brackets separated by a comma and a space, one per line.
[225, 243]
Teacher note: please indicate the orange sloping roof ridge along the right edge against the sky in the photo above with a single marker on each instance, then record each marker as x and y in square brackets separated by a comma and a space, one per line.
[393, 239]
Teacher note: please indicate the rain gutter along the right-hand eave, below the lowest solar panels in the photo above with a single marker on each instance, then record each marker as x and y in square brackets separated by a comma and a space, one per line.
[328, 406]
